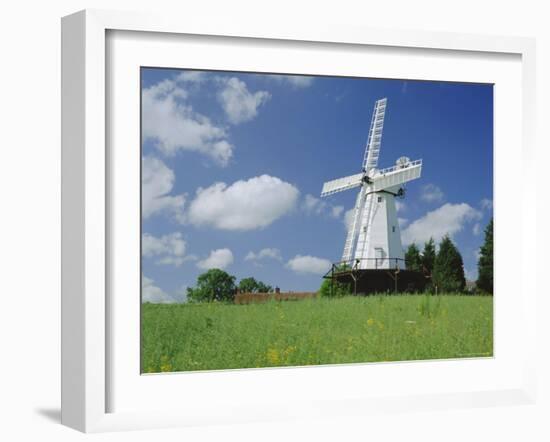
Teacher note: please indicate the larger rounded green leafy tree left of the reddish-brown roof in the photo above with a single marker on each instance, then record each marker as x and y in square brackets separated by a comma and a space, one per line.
[213, 285]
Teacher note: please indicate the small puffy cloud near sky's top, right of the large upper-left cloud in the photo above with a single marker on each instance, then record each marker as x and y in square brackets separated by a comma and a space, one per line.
[238, 102]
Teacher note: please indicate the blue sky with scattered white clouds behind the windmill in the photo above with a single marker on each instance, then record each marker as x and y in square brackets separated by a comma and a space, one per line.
[233, 165]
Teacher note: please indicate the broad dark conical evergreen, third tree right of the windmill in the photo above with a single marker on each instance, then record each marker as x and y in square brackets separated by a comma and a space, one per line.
[448, 271]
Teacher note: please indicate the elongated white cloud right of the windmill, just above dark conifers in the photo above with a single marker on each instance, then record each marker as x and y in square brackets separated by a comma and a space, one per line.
[447, 219]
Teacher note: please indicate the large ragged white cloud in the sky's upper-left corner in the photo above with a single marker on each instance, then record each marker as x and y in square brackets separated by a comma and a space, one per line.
[175, 126]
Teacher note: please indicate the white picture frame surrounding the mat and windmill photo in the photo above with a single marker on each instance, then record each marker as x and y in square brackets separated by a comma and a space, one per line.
[86, 203]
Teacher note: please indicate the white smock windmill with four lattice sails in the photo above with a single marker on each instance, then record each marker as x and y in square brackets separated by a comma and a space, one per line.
[374, 240]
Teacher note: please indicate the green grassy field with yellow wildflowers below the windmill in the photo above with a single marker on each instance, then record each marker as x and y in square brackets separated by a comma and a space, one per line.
[182, 337]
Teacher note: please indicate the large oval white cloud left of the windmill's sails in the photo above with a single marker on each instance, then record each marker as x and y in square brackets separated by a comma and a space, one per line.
[244, 205]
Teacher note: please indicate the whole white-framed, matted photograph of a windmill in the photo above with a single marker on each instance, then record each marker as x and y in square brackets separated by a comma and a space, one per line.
[265, 224]
